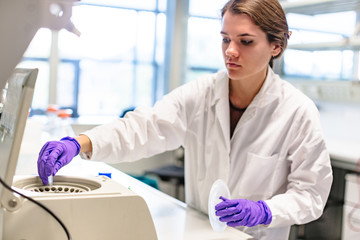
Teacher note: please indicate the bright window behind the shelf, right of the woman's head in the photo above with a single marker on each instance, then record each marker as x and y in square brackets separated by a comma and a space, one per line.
[314, 32]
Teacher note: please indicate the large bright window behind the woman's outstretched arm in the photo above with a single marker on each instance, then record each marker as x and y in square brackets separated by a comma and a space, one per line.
[115, 64]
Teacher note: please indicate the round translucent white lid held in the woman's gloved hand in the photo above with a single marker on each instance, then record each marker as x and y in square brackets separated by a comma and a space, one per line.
[218, 189]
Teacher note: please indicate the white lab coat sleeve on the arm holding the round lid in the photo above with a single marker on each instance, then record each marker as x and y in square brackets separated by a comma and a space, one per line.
[310, 175]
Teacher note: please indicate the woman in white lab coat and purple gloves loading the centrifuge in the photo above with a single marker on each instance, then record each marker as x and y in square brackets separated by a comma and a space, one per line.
[244, 125]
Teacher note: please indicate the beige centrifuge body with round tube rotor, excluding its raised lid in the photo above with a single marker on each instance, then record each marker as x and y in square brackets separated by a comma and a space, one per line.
[90, 208]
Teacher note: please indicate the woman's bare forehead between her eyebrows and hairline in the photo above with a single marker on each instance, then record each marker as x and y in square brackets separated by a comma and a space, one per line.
[239, 24]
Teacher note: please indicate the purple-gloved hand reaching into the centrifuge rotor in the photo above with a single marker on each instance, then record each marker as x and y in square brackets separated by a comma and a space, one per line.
[56, 154]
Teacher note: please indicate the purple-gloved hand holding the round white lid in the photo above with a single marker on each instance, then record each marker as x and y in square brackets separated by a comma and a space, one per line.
[242, 212]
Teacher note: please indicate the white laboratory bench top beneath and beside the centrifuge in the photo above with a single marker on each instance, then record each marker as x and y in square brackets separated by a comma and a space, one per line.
[172, 218]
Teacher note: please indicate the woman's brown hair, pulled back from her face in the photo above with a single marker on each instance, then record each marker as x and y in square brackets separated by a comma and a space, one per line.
[267, 14]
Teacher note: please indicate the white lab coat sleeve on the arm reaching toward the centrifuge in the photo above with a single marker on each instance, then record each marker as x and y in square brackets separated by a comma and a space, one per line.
[143, 132]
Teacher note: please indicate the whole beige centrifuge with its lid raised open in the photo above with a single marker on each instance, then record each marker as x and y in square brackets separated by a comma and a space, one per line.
[85, 208]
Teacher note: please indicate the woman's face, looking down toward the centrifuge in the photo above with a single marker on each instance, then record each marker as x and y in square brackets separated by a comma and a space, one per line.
[245, 47]
